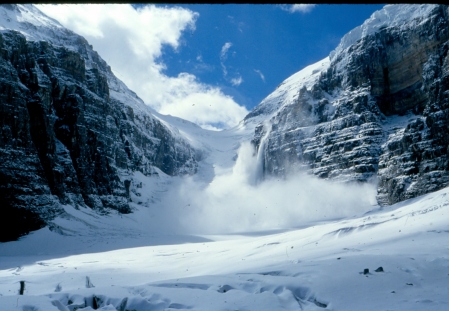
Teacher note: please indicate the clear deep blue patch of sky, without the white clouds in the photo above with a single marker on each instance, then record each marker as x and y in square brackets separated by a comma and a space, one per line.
[267, 44]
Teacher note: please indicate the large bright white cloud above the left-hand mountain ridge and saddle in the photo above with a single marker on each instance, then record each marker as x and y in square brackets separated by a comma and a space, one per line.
[131, 42]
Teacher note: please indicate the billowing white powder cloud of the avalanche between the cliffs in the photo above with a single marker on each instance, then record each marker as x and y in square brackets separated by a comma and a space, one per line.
[236, 200]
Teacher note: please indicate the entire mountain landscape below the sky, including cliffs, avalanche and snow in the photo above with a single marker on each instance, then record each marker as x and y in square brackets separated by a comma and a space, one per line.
[142, 211]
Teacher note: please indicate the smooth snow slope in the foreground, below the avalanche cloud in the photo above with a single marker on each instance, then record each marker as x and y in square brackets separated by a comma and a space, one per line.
[313, 268]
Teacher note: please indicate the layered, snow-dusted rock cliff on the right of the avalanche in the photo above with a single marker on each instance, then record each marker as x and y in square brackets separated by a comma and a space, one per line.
[378, 108]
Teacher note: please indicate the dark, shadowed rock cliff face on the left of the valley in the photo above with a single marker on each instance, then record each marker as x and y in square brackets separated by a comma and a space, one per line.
[72, 133]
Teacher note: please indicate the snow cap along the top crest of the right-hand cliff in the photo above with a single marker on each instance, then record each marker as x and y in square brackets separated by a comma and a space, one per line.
[392, 15]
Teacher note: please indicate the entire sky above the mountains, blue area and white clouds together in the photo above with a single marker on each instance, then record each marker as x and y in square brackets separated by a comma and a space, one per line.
[209, 64]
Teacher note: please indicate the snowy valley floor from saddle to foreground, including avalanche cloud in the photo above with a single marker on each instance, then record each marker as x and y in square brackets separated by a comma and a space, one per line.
[309, 252]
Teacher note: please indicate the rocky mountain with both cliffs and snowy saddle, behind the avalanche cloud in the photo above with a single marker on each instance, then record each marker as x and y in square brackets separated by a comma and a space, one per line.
[374, 111]
